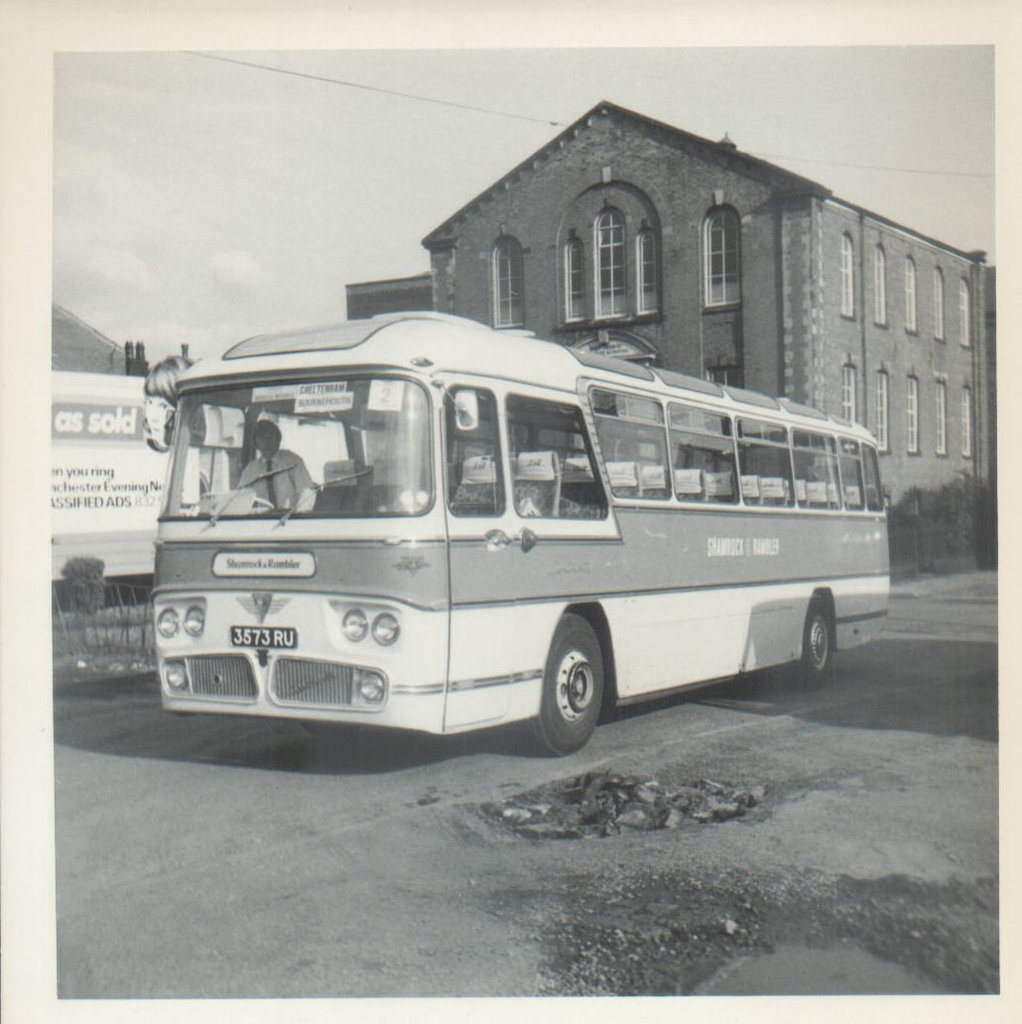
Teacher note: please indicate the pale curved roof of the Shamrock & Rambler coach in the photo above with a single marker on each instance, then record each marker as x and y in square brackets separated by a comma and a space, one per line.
[429, 343]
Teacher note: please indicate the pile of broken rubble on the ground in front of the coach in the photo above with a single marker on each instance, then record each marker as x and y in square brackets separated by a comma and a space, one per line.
[599, 804]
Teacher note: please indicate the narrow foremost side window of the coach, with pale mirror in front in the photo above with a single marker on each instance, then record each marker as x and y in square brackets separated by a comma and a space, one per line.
[476, 476]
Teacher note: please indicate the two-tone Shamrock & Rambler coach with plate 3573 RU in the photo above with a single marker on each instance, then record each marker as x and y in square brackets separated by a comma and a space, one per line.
[416, 522]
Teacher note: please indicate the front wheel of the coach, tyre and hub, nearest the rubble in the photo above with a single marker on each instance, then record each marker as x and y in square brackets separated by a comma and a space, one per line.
[573, 689]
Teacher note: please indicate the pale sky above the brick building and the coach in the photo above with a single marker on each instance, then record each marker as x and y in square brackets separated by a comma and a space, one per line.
[198, 200]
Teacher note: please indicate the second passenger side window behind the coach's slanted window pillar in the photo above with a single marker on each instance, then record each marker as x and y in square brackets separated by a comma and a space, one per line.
[703, 456]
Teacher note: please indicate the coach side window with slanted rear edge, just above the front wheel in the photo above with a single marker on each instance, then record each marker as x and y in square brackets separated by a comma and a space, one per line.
[552, 467]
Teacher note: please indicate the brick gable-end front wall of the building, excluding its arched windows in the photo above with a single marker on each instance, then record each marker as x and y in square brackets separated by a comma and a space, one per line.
[649, 178]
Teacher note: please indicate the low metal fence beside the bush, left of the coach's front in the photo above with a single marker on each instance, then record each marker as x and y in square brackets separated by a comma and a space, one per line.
[123, 626]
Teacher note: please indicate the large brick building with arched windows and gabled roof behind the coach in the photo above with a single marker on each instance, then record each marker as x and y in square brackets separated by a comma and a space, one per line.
[636, 239]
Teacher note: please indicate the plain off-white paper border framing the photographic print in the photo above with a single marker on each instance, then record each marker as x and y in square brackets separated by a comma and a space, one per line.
[31, 32]
